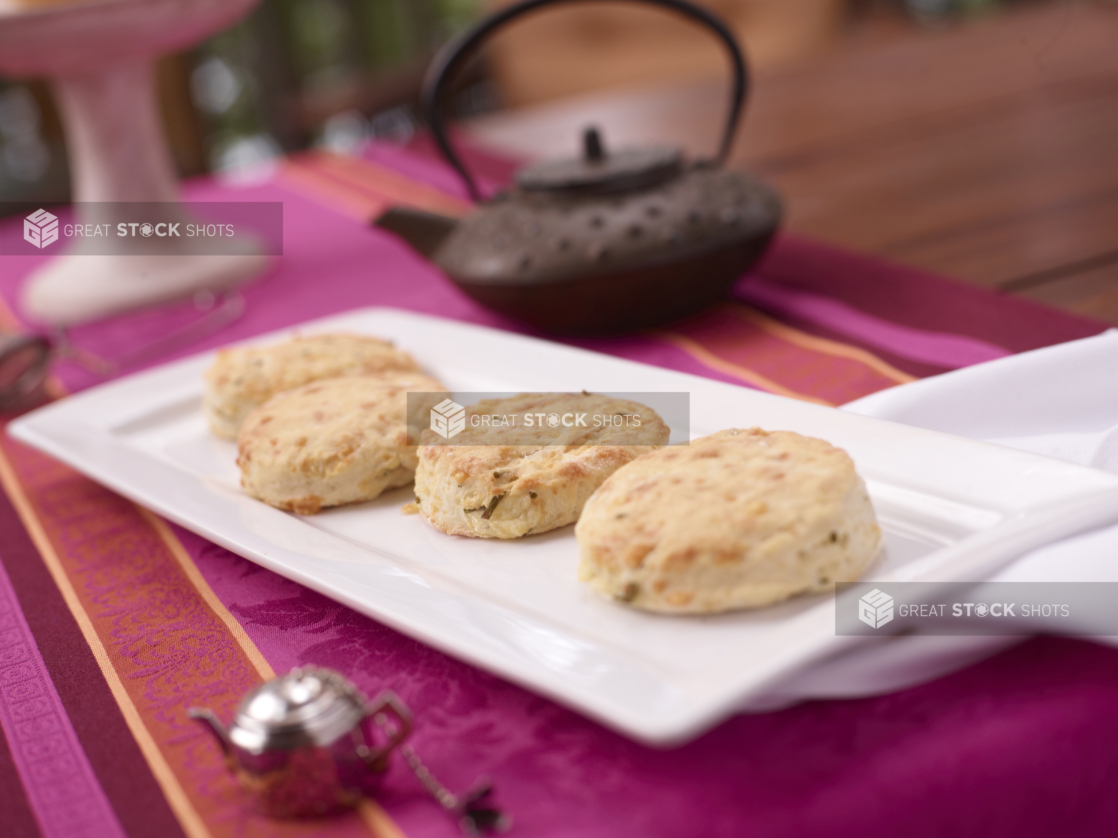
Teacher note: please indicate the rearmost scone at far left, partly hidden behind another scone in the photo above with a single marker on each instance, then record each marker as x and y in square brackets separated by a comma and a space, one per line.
[244, 378]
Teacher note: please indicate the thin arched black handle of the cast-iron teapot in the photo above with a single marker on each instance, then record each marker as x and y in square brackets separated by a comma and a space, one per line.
[451, 58]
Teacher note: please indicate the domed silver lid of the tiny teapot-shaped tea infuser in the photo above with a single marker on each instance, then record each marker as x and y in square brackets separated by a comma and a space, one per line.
[310, 706]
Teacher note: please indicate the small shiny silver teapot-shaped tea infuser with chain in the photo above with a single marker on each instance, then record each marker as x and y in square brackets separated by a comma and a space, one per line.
[309, 744]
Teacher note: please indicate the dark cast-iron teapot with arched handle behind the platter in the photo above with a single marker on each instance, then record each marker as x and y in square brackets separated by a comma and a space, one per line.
[608, 243]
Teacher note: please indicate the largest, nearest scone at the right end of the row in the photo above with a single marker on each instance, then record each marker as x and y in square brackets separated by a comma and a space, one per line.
[736, 520]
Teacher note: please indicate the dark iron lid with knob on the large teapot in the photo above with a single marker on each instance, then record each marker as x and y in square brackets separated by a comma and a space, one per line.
[601, 172]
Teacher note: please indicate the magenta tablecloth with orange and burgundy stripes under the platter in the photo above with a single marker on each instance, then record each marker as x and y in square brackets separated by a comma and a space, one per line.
[112, 624]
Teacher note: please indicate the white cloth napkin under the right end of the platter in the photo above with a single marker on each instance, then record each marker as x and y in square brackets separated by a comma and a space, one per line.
[1060, 402]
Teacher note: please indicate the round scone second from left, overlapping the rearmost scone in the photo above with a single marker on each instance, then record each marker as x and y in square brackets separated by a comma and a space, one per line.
[336, 442]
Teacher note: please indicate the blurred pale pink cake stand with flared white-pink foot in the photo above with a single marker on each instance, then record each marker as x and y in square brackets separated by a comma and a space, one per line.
[100, 60]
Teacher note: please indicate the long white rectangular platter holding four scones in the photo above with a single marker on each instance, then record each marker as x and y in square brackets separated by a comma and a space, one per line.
[952, 510]
